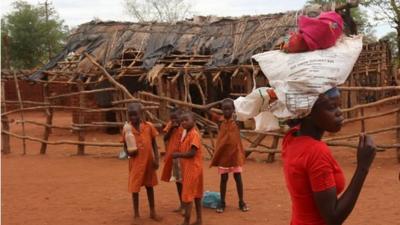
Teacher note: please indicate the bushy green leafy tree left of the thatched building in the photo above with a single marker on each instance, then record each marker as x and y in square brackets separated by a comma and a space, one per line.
[33, 34]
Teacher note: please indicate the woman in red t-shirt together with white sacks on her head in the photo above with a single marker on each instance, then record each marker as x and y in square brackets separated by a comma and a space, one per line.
[304, 86]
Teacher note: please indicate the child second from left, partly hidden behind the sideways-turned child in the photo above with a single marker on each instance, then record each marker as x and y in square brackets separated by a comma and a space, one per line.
[172, 140]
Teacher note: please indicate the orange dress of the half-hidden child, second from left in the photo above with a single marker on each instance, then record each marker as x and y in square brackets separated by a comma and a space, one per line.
[171, 146]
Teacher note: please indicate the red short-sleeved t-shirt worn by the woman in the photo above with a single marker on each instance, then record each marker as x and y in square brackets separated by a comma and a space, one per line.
[308, 167]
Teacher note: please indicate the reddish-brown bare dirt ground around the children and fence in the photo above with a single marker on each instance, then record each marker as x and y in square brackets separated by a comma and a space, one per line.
[62, 188]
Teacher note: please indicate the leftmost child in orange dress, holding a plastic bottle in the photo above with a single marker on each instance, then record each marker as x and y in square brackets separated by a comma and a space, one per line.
[143, 162]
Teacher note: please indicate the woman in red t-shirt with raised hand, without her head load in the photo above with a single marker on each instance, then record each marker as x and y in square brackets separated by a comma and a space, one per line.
[313, 177]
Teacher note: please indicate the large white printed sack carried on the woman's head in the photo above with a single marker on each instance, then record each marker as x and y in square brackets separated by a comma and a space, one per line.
[299, 78]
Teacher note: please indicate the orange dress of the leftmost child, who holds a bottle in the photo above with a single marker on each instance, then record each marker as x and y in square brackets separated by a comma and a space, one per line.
[141, 170]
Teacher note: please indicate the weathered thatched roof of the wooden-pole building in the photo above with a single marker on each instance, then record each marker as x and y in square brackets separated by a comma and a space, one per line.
[227, 41]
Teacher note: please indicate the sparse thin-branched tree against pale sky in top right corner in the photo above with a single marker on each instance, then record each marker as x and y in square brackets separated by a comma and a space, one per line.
[387, 11]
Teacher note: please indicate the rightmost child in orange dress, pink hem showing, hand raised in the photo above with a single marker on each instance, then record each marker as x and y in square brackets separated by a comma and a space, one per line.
[229, 153]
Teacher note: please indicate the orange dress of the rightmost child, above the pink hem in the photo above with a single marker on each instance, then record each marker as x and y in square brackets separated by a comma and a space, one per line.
[229, 150]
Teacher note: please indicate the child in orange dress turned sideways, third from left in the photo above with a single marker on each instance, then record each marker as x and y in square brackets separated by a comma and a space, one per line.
[190, 153]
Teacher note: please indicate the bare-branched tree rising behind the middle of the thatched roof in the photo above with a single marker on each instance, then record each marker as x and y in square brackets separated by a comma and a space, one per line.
[158, 10]
